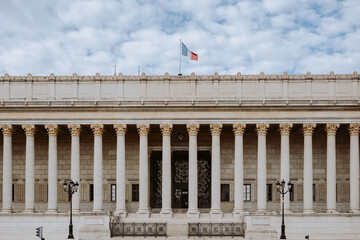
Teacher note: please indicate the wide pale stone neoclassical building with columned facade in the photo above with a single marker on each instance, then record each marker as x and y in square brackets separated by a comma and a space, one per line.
[180, 150]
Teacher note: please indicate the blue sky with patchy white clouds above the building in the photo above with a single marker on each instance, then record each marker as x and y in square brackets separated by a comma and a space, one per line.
[248, 36]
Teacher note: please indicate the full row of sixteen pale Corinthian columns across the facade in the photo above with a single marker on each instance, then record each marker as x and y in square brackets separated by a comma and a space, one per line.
[166, 129]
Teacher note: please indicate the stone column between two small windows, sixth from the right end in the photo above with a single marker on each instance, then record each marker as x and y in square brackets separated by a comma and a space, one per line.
[238, 170]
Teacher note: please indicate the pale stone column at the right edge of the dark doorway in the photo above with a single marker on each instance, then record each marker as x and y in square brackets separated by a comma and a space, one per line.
[215, 171]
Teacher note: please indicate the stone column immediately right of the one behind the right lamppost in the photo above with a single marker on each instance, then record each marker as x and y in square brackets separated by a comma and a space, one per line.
[308, 129]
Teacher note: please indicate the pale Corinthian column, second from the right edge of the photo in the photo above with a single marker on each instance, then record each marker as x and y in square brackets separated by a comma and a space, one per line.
[331, 167]
